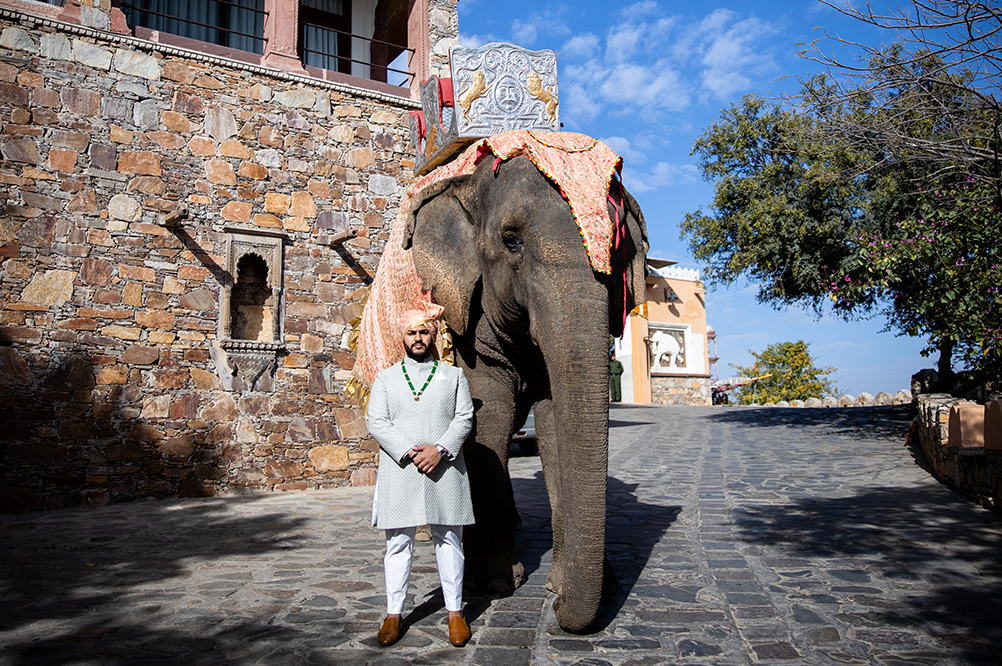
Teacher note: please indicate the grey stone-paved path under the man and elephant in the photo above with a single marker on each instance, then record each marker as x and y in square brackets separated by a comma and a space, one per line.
[741, 536]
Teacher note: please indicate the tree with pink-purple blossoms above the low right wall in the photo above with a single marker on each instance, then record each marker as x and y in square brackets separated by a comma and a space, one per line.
[941, 274]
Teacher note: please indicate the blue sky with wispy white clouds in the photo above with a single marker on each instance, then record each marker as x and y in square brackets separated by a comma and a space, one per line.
[649, 79]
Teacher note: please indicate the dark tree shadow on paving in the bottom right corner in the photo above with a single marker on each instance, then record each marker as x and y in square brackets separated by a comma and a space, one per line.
[913, 536]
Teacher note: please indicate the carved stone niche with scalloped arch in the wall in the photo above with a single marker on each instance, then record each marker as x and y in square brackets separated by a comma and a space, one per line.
[250, 330]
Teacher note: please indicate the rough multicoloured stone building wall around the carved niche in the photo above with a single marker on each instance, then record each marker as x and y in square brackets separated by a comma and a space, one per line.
[109, 317]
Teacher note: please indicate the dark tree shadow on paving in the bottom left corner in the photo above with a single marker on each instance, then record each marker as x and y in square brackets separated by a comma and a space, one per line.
[73, 587]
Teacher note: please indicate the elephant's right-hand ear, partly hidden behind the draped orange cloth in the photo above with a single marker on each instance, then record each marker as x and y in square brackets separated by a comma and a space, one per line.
[632, 264]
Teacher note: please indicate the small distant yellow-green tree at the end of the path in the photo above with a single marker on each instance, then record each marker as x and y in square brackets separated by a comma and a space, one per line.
[793, 376]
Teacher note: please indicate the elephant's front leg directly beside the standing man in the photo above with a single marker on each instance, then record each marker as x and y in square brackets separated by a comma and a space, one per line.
[492, 564]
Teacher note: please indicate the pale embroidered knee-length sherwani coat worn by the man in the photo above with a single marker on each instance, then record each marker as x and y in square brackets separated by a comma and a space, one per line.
[442, 417]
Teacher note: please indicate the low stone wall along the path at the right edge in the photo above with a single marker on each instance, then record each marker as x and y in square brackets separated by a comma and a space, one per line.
[974, 471]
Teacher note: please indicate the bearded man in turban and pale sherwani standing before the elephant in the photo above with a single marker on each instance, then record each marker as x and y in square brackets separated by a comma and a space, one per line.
[420, 412]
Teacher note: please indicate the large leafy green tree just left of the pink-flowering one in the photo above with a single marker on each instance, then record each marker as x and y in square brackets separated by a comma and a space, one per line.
[783, 216]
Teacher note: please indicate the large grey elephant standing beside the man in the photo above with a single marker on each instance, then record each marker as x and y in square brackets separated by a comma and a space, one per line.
[531, 320]
